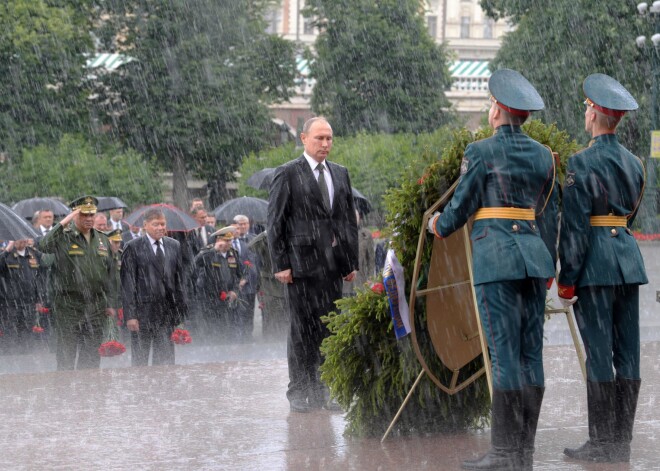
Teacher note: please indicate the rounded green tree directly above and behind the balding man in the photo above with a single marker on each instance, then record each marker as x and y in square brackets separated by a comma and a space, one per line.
[377, 68]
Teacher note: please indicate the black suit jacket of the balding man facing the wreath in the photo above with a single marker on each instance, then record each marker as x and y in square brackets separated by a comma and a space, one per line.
[301, 230]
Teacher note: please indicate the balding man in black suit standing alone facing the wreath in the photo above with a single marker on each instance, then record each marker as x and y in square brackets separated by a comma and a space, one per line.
[312, 233]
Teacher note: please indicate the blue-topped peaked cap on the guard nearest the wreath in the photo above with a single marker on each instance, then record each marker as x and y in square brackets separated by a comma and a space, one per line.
[513, 93]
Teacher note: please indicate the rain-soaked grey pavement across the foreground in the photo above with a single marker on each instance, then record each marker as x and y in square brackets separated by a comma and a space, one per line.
[222, 407]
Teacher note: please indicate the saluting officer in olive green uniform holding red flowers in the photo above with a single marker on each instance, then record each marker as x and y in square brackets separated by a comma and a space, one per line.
[83, 285]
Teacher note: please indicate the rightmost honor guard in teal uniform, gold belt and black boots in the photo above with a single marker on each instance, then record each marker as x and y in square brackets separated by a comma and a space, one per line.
[602, 268]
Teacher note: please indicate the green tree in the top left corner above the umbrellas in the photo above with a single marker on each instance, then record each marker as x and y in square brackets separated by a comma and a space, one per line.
[42, 94]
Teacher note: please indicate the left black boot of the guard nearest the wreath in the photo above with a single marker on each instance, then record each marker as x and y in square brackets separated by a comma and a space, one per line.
[505, 433]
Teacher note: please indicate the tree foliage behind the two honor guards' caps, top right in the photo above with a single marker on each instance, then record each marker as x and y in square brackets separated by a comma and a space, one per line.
[556, 45]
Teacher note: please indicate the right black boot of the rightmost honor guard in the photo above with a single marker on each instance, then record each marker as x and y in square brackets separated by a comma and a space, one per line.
[627, 392]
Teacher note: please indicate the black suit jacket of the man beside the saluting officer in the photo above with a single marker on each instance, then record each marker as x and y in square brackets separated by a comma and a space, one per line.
[142, 283]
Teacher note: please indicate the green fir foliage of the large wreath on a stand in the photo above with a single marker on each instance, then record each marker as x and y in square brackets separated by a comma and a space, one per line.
[368, 371]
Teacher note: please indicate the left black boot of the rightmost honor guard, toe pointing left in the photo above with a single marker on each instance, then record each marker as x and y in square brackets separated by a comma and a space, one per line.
[602, 422]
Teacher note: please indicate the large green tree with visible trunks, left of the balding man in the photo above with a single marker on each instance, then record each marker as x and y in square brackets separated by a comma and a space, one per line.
[197, 95]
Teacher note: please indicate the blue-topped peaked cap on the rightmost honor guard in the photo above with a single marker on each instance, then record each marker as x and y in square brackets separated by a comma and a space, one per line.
[607, 95]
